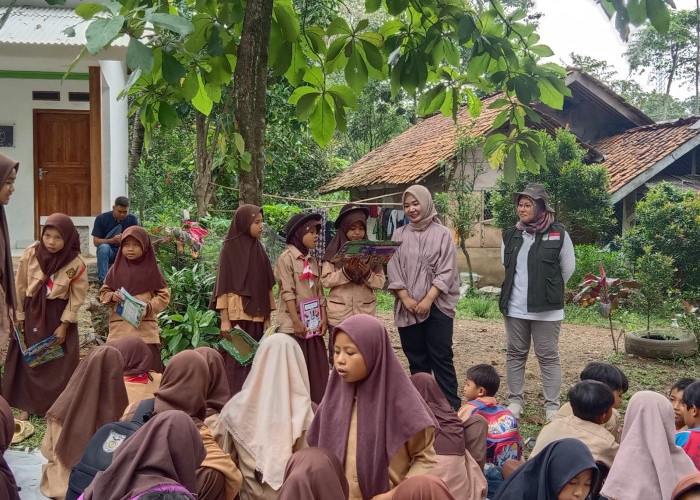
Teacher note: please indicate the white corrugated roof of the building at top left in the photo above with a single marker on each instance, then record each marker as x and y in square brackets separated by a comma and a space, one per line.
[44, 26]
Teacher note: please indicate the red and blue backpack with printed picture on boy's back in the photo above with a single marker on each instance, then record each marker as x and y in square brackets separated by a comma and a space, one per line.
[503, 440]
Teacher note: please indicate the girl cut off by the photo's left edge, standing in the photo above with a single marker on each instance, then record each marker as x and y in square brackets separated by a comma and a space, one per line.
[8, 174]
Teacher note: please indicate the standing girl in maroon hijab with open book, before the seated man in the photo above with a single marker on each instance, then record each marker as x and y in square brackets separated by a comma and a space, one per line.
[135, 270]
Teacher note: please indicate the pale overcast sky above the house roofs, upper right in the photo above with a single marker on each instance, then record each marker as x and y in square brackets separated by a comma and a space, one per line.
[582, 27]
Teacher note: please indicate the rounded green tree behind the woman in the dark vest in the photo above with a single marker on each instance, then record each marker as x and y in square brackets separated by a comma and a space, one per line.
[578, 191]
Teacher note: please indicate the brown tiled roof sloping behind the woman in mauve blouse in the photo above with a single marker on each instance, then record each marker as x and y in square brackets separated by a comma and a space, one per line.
[414, 153]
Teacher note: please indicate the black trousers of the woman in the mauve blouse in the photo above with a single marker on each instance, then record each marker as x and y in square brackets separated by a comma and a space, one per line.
[428, 347]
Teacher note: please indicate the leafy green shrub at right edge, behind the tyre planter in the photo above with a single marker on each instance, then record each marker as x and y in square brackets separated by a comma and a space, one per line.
[668, 222]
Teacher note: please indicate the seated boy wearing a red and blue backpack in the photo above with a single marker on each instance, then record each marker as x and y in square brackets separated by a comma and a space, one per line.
[503, 441]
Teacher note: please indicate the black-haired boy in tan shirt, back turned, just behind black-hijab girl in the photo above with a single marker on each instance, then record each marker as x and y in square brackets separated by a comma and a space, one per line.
[592, 405]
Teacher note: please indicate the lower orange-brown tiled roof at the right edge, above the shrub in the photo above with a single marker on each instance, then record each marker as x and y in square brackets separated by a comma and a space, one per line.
[634, 151]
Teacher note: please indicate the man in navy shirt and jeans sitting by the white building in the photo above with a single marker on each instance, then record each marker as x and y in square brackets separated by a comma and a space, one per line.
[107, 234]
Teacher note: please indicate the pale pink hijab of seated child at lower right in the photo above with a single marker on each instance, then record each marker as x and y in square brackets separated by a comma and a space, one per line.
[648, 464]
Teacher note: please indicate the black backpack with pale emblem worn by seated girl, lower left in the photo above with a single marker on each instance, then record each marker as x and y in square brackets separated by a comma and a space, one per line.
[100, 449]
